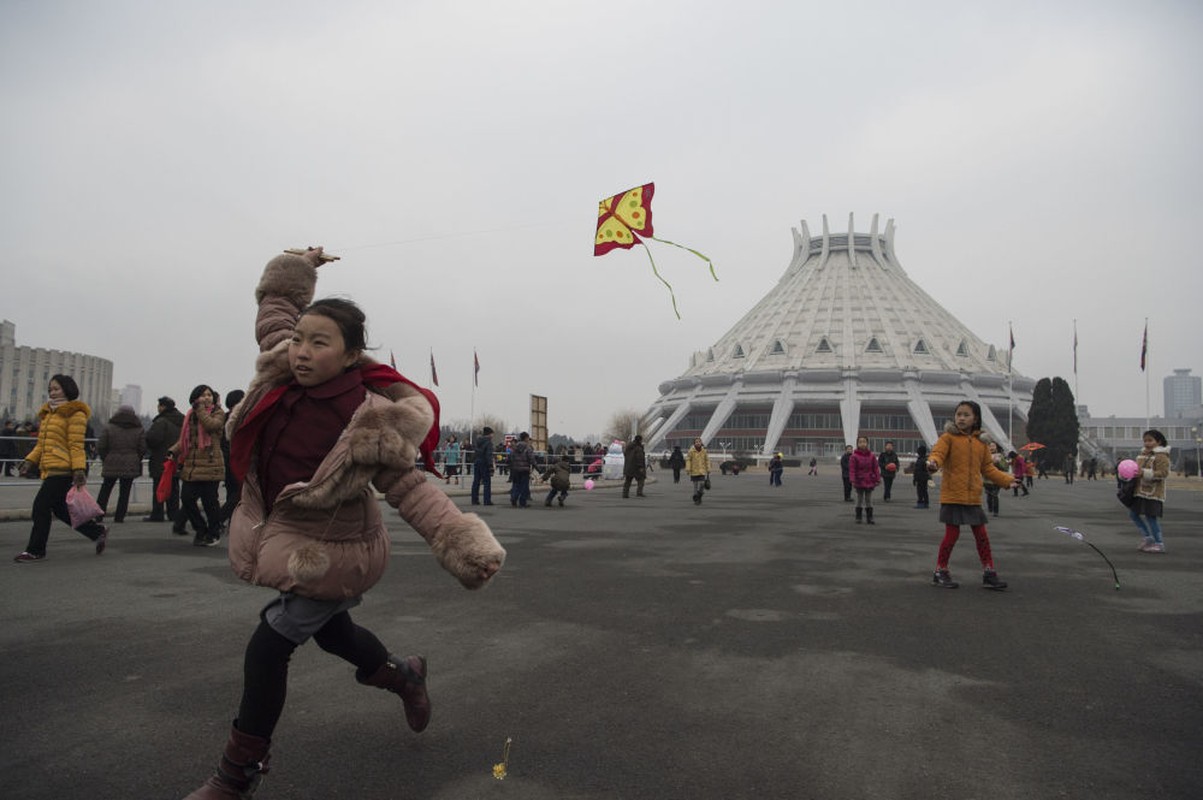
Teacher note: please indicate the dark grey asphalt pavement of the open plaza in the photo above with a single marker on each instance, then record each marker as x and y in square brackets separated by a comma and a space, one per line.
[761, 645]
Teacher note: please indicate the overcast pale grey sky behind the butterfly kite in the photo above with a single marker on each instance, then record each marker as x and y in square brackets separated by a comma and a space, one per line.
[1041, 162]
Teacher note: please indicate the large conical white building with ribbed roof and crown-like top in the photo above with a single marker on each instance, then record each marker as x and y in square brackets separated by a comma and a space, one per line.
[846, 345]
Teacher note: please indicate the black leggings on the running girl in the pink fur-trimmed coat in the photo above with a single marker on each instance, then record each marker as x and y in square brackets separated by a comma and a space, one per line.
[266, 668]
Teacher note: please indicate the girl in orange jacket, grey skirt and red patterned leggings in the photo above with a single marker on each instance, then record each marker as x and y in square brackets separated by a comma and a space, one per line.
[965, 460]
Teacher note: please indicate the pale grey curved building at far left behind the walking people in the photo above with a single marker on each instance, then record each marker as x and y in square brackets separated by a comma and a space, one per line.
[26, 372]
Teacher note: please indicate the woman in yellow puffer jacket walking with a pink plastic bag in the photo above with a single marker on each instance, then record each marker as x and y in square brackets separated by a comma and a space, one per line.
[60, 457]
